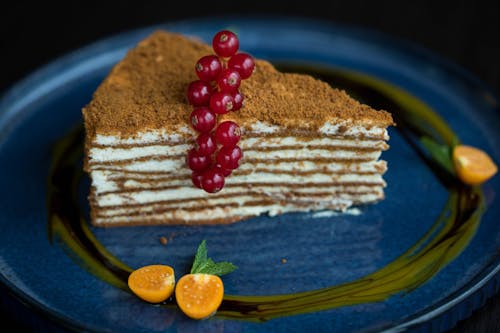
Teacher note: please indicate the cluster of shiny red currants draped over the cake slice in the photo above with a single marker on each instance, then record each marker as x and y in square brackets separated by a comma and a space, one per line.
[215, 93]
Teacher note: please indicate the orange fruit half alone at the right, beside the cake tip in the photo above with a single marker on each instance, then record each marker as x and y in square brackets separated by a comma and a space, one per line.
[472, 165]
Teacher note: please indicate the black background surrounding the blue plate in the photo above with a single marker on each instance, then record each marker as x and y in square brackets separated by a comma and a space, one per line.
[465, 32]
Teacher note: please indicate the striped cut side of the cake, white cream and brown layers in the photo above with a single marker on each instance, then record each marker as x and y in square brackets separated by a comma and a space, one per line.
[151, 182]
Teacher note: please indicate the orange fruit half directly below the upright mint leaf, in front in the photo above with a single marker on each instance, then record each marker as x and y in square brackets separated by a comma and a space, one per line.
[199, 295]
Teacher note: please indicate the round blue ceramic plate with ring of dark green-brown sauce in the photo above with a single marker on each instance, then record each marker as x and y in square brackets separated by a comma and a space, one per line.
[421, 259]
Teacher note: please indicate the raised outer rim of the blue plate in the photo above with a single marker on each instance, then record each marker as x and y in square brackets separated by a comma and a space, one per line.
[484, 285]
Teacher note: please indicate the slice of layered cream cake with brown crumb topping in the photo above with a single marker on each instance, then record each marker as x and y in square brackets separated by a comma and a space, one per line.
[306, 145]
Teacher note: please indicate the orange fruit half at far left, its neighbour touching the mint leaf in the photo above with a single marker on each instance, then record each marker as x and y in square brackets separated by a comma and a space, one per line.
[153, 283]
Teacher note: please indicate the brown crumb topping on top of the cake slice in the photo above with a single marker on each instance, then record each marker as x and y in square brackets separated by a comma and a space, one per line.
[147, 91]
